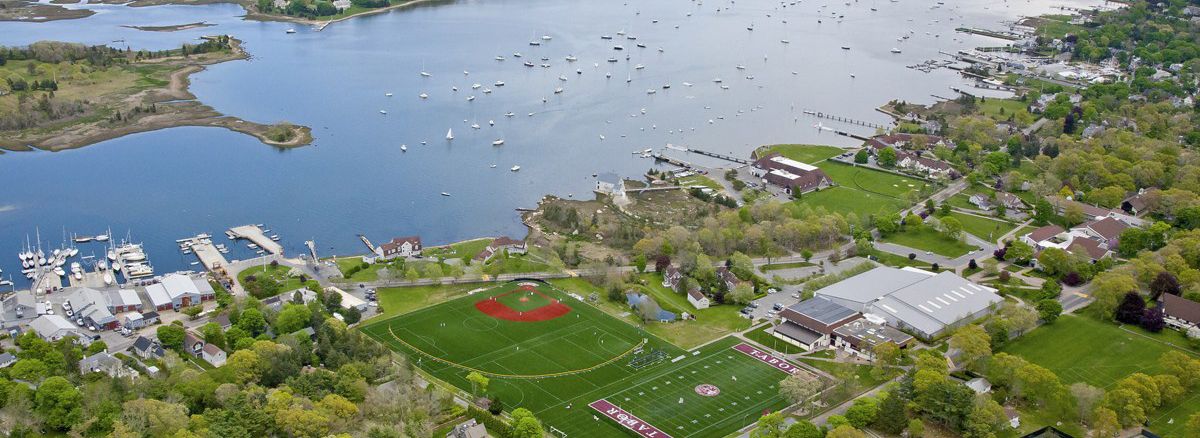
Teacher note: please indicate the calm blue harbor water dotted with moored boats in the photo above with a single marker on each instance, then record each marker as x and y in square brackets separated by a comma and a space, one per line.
[166, 185]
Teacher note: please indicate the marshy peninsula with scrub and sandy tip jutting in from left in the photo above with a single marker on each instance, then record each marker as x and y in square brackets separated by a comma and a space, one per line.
[61, 97]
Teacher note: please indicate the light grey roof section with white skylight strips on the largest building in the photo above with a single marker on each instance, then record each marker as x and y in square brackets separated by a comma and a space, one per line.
[938, 302]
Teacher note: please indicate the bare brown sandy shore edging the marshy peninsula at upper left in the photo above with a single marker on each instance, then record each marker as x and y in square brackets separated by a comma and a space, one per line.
[178, 107]
